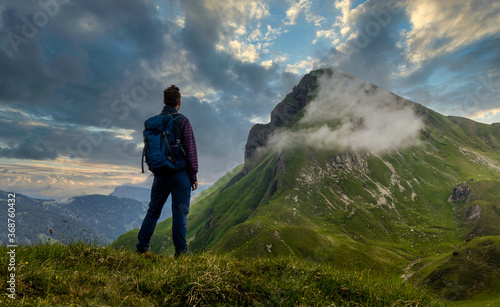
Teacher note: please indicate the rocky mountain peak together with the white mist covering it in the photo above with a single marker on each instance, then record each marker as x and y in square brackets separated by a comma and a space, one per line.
[331, 108]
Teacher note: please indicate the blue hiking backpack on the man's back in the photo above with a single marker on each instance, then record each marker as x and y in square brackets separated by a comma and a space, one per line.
[163, 151]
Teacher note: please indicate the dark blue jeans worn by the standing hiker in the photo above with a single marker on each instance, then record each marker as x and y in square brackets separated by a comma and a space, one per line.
[179, 185]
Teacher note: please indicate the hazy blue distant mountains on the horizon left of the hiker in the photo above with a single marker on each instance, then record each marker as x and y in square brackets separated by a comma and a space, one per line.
[95, 218]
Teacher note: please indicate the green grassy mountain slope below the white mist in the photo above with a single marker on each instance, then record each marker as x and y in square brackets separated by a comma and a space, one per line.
[354, 208]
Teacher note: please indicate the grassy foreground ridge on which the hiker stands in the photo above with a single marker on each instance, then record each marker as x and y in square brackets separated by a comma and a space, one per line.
[85, 275]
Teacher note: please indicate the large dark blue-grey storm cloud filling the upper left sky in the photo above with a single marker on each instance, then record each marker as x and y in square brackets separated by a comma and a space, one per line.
[92, 44]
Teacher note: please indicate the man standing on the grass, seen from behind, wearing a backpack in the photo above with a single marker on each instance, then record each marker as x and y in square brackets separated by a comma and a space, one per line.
[179, 182]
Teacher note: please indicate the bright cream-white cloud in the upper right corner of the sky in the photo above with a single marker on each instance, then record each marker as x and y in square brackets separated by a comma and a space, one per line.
[440, 27]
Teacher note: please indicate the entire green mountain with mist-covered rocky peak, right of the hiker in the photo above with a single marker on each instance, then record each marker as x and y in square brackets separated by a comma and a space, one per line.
[349, 173]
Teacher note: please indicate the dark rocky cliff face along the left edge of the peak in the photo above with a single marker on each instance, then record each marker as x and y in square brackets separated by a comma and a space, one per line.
[283, 115]
